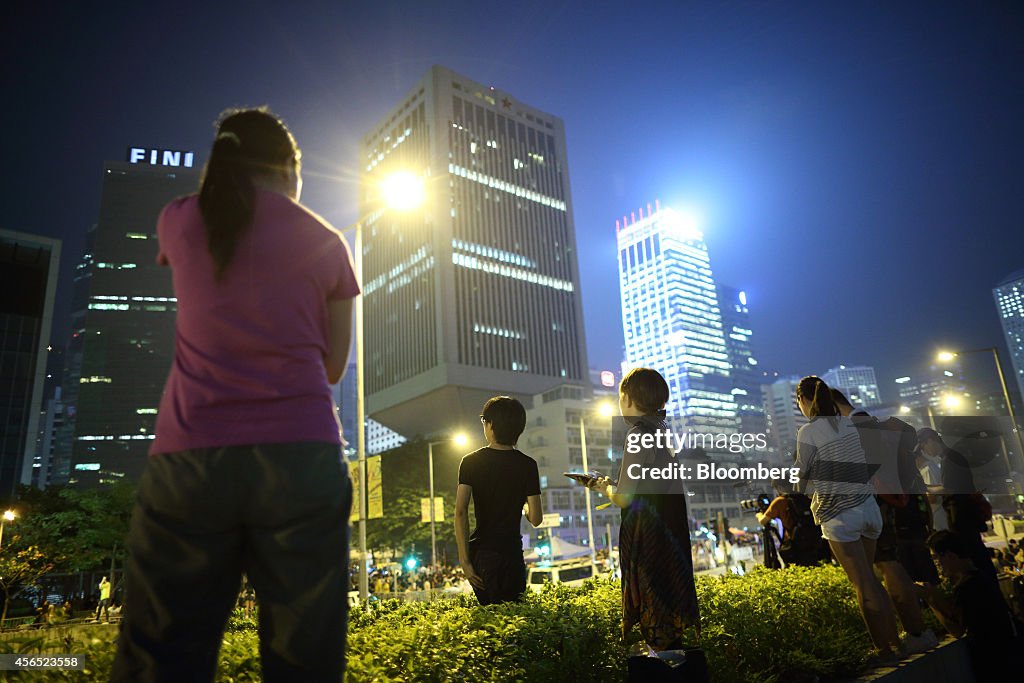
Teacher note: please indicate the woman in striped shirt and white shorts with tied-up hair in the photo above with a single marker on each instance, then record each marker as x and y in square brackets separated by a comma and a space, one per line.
[830, 456]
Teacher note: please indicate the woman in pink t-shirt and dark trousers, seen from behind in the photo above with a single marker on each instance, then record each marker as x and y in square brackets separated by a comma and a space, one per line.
[246, 474]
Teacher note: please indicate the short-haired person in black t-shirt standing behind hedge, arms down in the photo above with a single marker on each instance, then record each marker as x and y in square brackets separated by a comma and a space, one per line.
[500, 480]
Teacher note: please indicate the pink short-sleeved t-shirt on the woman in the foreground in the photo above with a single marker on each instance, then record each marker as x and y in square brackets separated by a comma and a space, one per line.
[249, 351]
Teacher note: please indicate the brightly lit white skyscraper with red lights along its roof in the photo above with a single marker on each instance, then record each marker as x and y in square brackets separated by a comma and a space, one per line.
[671, 317]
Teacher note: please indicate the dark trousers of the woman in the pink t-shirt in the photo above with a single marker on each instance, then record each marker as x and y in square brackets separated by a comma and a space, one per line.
[278, 513]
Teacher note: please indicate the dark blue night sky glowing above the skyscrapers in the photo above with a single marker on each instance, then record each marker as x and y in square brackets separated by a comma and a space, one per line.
[857, 166]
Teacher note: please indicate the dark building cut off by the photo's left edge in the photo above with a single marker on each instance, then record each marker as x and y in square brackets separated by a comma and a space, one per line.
[29, 269]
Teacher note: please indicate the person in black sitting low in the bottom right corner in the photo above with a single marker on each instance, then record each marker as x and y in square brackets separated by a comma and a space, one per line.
[977, 612]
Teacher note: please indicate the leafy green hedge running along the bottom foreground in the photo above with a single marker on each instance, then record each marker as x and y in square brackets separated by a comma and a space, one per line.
[791, 625]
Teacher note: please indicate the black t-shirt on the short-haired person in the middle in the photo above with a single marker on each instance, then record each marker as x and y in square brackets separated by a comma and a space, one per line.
[501, 481]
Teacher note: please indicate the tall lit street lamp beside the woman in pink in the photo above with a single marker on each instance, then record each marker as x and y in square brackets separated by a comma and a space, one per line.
[402, 192]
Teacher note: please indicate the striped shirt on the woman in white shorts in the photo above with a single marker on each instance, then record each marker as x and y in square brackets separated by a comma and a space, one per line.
[830, 456]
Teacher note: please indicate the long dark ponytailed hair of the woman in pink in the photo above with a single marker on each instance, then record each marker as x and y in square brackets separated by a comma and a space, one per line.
[249, 143]
